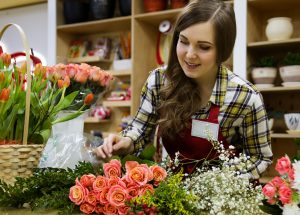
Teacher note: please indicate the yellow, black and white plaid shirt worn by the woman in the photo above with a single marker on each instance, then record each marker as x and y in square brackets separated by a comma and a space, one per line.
[241, 105]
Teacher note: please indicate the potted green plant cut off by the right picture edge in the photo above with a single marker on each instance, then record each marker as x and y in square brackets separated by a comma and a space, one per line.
[290, 71]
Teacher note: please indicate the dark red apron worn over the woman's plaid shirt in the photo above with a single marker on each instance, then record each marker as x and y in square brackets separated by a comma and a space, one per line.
[193, 148]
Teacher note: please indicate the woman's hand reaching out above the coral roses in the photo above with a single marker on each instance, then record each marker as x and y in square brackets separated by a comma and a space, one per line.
[114, 145]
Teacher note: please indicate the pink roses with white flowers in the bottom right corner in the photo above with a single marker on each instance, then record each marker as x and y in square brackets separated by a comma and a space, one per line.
[282, 193]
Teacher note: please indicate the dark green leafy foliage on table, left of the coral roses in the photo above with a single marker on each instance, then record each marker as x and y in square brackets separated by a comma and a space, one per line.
[46, 188]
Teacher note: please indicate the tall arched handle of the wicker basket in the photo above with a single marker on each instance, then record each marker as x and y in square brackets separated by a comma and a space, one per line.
[28, 88]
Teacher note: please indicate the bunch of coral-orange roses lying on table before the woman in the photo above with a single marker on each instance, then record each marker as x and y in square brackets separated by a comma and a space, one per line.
[109, 193]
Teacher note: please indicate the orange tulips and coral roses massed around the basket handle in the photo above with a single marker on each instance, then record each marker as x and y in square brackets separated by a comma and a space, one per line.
[53, 89]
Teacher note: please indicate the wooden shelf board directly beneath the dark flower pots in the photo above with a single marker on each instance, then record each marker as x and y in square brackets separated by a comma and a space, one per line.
[107, 25]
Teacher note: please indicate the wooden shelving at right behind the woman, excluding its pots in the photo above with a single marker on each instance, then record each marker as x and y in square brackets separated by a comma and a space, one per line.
[277, 98]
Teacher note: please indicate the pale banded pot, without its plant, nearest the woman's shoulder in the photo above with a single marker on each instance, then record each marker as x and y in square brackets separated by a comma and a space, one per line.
[264, 75]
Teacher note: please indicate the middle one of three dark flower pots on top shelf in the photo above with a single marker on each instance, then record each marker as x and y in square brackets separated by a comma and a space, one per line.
[102, 9]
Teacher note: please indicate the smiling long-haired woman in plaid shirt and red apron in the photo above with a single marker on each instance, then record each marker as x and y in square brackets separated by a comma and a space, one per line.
[196, 93]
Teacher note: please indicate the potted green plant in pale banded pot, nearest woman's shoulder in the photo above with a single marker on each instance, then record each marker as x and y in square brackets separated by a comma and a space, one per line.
[264, 71]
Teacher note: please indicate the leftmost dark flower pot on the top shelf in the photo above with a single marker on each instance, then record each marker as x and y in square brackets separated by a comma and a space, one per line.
[75, 11]
